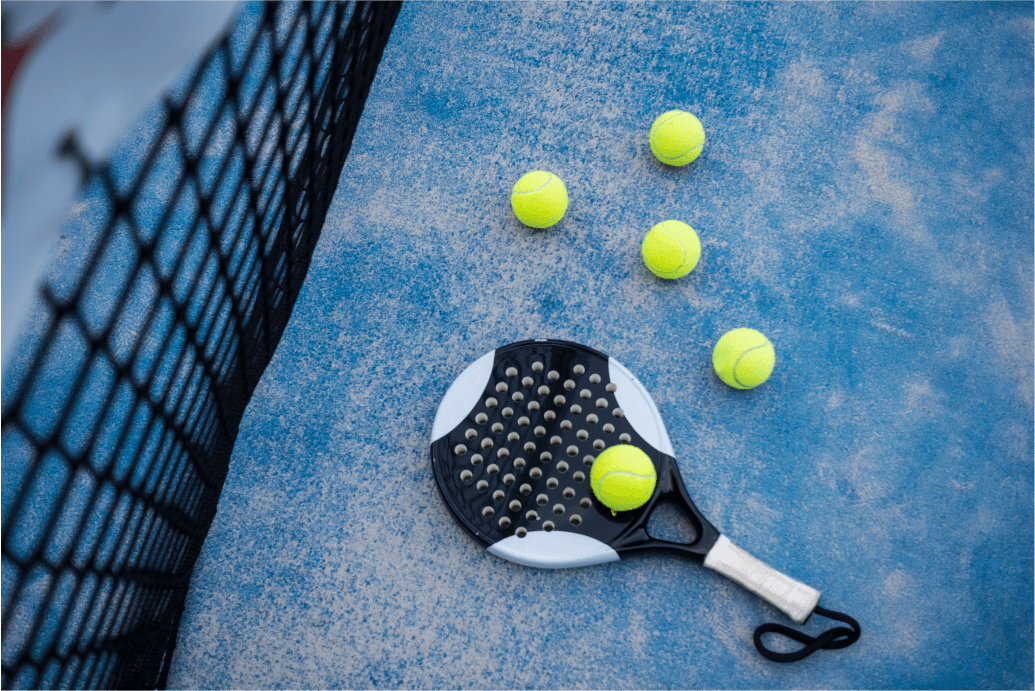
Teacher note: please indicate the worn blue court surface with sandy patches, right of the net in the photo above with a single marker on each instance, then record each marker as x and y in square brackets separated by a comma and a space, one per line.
[866, 199]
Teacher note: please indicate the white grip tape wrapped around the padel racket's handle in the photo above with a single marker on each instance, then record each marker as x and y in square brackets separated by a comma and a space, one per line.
[794, 599]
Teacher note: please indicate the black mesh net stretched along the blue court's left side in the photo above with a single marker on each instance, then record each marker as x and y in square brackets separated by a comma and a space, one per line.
[124, 401]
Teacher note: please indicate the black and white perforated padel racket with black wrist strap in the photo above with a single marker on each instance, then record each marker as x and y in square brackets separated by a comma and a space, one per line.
[513, 444]
